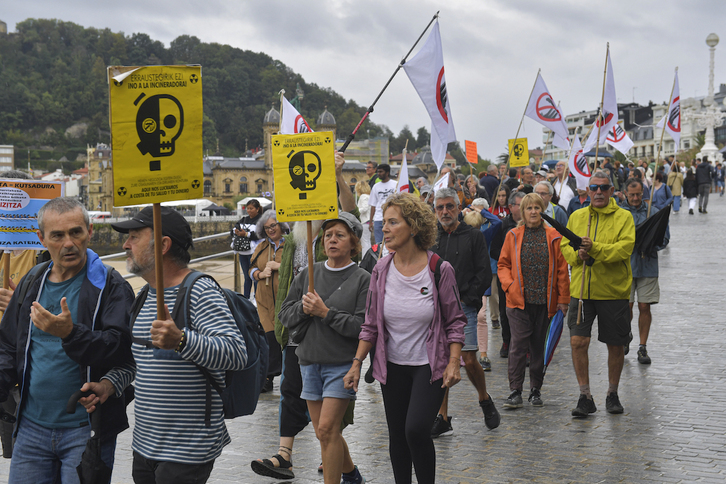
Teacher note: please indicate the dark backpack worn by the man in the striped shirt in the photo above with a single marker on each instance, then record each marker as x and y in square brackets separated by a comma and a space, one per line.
[243, 387]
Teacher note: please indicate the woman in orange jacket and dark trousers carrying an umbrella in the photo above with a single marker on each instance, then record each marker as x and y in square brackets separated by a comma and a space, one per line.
[534, 275]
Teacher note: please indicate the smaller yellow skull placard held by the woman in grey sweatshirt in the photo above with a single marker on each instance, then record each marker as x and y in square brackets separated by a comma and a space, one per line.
[304, 171]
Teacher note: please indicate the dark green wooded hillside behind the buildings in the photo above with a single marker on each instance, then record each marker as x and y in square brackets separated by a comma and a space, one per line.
[53, 76]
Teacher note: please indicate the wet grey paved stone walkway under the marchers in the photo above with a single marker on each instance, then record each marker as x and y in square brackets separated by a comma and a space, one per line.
[673, 429]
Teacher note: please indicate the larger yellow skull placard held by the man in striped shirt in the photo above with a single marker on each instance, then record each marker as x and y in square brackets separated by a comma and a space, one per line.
[156, 133]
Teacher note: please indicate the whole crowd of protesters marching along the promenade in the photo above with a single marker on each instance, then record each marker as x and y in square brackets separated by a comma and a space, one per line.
[494, 244]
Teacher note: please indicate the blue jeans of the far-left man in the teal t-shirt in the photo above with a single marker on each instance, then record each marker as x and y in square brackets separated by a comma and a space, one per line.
[43, 455]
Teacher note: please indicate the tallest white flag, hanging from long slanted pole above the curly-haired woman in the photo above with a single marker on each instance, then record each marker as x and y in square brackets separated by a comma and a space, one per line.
[426, 72]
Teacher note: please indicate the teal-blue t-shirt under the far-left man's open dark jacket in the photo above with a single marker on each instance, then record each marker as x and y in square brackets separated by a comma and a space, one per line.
[54, 377]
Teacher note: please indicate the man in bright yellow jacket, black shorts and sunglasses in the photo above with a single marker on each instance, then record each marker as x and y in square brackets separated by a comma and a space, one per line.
[605, 254]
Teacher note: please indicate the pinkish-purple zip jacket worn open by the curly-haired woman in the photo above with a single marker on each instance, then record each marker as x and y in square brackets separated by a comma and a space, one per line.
[447, 326]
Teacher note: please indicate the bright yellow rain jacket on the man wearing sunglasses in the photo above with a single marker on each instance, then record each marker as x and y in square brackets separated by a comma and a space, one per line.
[613, 236]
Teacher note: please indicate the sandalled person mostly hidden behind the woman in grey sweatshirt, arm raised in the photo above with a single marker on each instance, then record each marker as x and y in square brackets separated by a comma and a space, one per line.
[293, 416]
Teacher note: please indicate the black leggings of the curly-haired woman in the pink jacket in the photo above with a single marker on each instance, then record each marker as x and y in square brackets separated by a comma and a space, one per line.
[411, 404]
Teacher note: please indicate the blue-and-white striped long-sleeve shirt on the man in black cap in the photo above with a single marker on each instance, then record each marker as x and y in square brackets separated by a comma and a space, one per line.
[171, 391]
